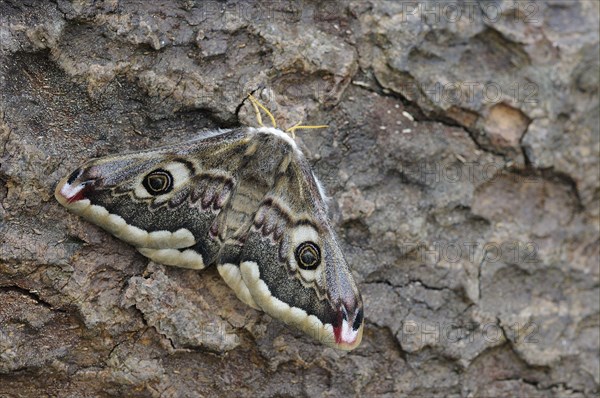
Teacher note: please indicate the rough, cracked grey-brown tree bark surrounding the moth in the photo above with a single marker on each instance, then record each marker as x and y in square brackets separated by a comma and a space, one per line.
[461, 157]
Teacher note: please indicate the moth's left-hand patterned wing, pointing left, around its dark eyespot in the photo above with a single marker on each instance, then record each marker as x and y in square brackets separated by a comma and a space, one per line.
[174, 228]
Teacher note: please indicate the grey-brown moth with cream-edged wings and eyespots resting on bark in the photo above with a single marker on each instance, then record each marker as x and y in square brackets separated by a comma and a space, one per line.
[244, 200]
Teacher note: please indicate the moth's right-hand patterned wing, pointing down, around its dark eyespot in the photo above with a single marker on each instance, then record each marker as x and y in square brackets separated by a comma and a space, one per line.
[323, 301]
